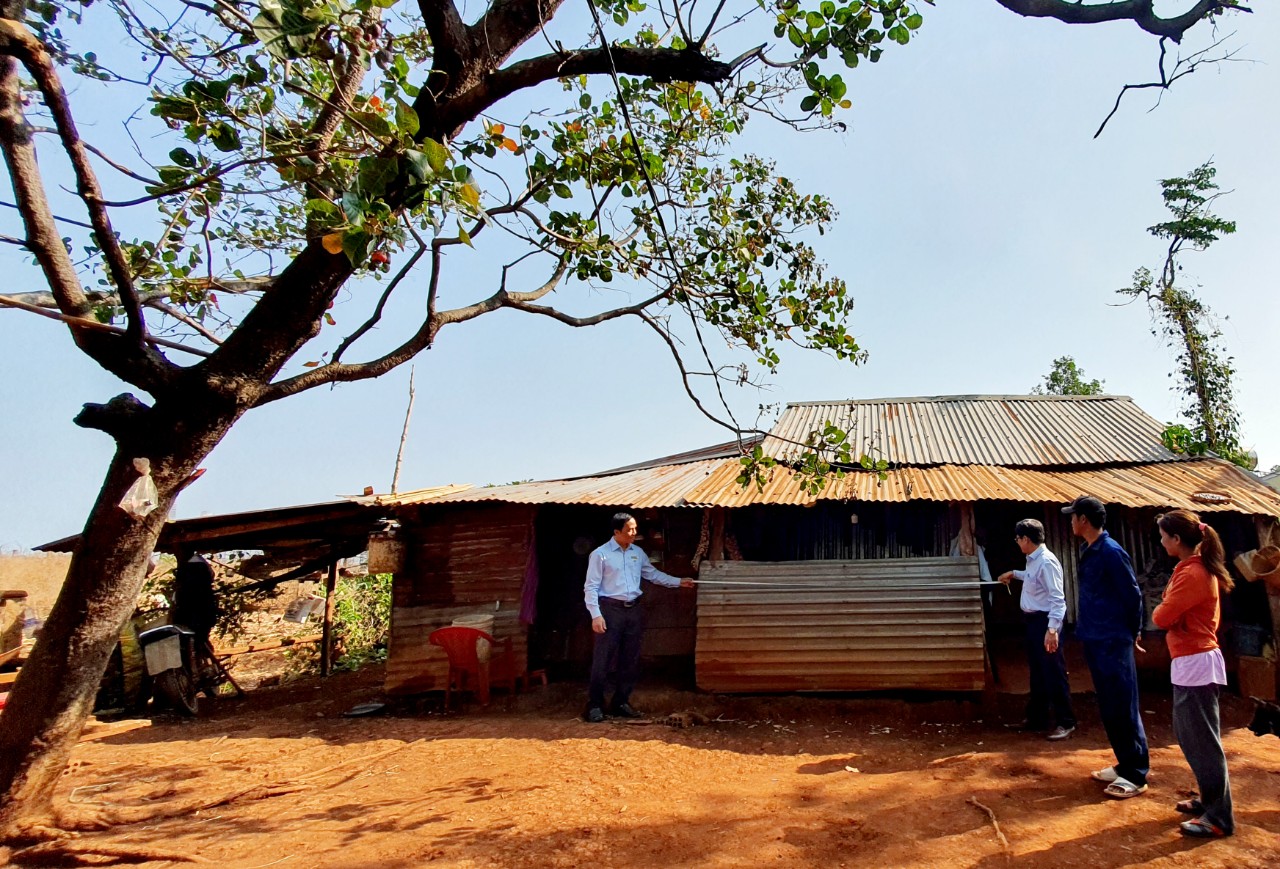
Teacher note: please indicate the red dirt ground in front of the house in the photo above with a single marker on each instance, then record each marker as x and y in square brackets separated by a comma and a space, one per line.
[775, 781]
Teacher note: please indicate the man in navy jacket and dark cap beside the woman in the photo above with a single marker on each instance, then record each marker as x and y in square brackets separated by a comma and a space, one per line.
[1110, 626]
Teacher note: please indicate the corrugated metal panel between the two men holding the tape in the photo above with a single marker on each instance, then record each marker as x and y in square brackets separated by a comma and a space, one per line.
[840, 626]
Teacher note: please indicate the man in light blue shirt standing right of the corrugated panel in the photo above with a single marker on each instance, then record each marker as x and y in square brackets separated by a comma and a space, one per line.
[1044, 605]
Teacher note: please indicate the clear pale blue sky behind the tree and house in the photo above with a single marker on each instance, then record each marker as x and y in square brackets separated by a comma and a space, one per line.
[984, 232]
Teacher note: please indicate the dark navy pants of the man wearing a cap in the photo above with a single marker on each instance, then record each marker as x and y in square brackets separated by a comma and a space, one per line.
[1116, 680]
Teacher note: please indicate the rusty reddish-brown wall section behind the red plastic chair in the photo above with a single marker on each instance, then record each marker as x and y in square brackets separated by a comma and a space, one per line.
[460, 560]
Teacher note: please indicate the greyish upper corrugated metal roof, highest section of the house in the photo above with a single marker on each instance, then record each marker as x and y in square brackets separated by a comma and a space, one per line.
[1008, 431]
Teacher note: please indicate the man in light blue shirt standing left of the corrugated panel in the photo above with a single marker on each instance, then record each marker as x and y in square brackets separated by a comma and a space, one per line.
[612, 594]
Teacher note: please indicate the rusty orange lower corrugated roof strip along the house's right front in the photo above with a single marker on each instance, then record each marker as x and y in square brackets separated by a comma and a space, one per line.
[1169, 484]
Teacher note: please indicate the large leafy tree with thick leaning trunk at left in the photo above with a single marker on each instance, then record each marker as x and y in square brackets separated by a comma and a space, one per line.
[290, 150]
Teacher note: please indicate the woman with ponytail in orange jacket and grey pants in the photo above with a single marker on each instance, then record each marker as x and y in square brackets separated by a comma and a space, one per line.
[1190, 612]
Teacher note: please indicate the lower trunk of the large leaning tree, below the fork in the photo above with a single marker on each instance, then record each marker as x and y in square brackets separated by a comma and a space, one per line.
[56, 689]
